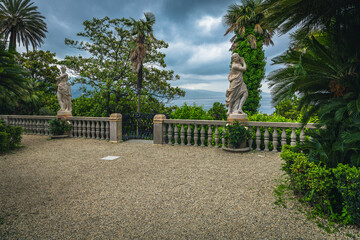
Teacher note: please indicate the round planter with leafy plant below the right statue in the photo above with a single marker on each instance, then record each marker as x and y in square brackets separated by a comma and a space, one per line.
[237, 135]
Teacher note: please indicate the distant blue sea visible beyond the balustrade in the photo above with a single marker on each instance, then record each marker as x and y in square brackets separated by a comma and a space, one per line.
[207, 98]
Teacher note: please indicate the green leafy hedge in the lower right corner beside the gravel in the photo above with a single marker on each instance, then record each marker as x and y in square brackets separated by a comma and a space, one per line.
[333, 192]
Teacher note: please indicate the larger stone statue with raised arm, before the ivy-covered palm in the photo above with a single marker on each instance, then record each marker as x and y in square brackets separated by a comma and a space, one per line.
[237, 92]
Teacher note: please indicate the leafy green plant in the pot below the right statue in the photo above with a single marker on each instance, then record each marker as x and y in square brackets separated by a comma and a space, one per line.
[237, 134]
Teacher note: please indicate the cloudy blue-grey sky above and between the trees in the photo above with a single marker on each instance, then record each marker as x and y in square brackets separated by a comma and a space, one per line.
[198, 50]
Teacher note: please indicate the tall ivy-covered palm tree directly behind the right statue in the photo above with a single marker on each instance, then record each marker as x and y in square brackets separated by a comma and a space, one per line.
[246, 22]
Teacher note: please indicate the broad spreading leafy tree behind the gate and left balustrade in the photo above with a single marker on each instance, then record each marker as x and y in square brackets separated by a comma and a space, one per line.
[108, 70]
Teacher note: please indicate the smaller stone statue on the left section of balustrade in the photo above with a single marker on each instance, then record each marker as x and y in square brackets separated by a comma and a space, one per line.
[64, 92]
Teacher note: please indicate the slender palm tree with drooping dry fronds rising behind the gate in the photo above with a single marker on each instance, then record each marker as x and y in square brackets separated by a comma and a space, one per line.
[142, 29]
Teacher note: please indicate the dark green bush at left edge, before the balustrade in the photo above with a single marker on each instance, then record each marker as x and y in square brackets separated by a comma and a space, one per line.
[10, 137]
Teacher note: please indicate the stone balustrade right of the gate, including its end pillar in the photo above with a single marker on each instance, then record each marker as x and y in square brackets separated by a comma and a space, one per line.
[264, 135]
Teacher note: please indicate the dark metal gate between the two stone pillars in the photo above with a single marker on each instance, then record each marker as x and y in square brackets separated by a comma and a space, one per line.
[137, 126]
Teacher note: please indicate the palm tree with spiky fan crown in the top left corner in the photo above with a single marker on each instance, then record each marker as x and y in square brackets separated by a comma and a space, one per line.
[22, 23]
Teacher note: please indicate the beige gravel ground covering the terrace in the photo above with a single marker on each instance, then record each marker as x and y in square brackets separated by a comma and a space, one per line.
[60, 189]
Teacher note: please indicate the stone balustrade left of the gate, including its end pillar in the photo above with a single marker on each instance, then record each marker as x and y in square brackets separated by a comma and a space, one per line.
[102, 128]
